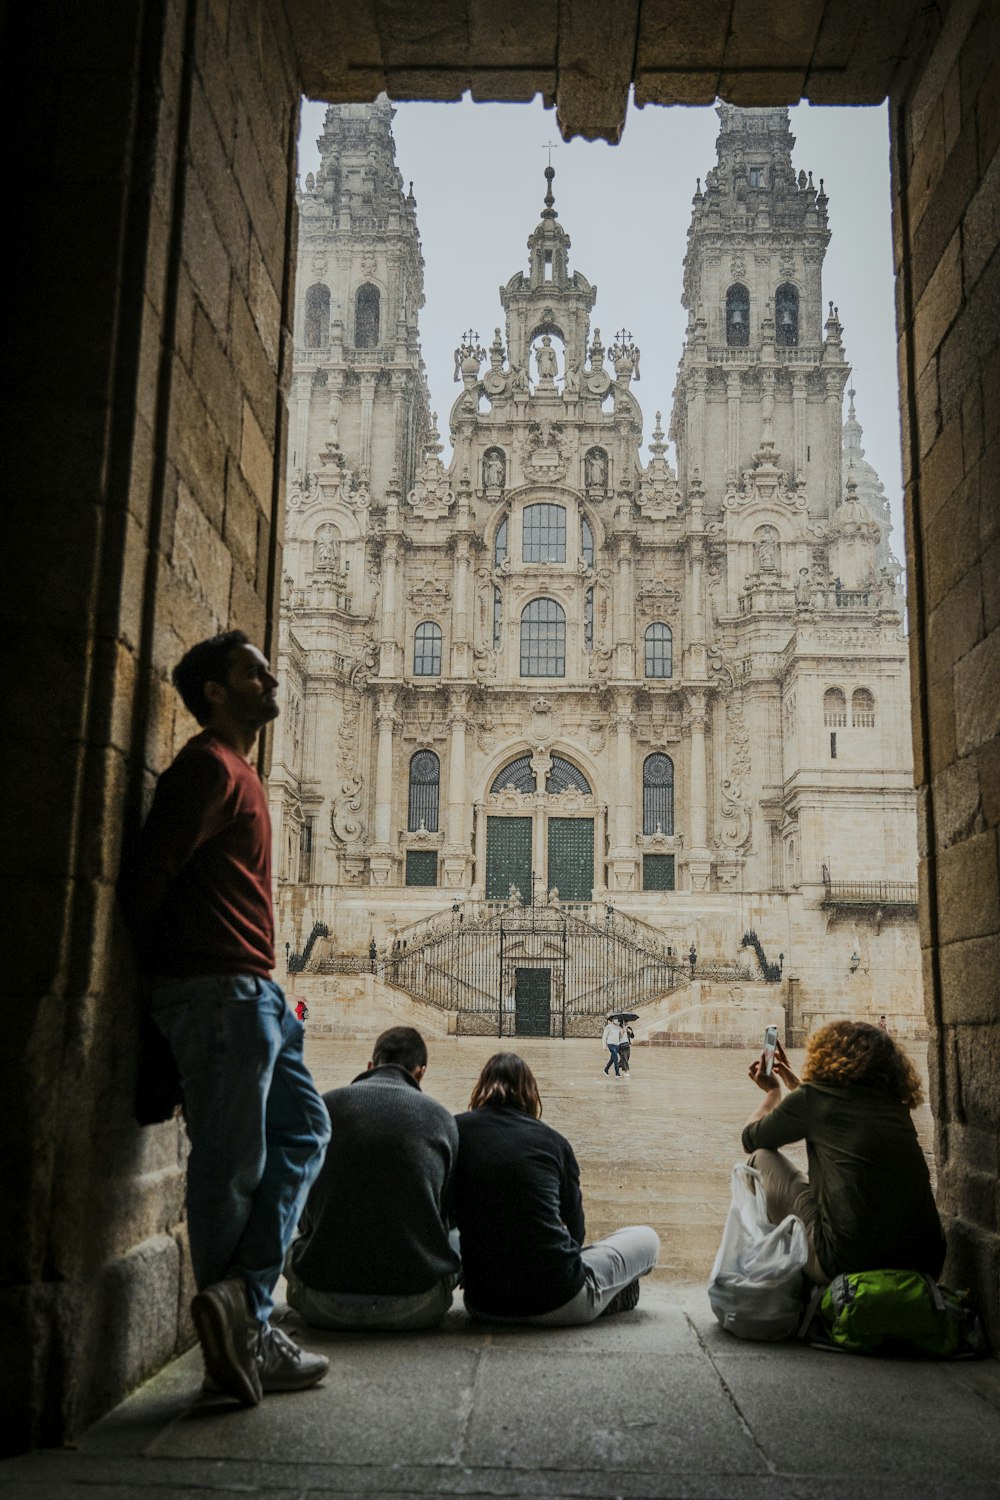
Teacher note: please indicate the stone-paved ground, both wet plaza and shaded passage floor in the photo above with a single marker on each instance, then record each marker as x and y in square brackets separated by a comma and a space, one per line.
[656, 1403]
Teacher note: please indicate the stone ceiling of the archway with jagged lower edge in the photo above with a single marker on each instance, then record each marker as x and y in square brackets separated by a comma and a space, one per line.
[585, 55]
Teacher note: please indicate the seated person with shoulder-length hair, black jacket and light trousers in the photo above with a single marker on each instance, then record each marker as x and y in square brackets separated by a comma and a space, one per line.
[521, 1216]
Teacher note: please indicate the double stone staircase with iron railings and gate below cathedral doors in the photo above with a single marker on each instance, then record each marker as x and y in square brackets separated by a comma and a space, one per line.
[472, 961]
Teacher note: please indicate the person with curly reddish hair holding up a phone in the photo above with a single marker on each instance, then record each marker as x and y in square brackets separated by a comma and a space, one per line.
[867, 1204]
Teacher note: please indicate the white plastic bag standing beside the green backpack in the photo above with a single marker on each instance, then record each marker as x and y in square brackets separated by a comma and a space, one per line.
[758, 1289]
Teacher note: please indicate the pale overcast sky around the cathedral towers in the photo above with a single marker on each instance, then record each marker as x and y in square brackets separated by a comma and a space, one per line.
[478, 173]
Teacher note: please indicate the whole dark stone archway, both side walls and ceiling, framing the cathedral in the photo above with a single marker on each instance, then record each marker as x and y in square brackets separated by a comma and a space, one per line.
[149, 347]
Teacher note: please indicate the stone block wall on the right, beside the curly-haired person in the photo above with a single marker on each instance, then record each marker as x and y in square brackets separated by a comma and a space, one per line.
[947, 214]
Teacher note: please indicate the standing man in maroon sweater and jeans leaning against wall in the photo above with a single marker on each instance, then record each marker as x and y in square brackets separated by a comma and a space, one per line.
[199, 901]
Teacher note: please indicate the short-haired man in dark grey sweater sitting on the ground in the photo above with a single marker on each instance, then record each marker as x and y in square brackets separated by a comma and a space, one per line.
[374, 1249]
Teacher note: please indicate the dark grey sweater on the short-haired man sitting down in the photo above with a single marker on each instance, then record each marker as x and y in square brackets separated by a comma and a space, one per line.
[377, 1219]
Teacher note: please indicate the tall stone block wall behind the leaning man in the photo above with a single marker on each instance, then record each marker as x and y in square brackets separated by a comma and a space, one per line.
[154, 185]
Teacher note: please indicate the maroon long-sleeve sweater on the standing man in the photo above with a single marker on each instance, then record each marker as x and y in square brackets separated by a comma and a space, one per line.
[199, 893]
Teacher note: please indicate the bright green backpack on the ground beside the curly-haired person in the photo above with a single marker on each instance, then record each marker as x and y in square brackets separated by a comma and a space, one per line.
[896, 1313]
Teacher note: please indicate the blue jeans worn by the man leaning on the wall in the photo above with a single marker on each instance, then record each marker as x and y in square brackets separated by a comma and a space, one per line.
[257, 1126]
